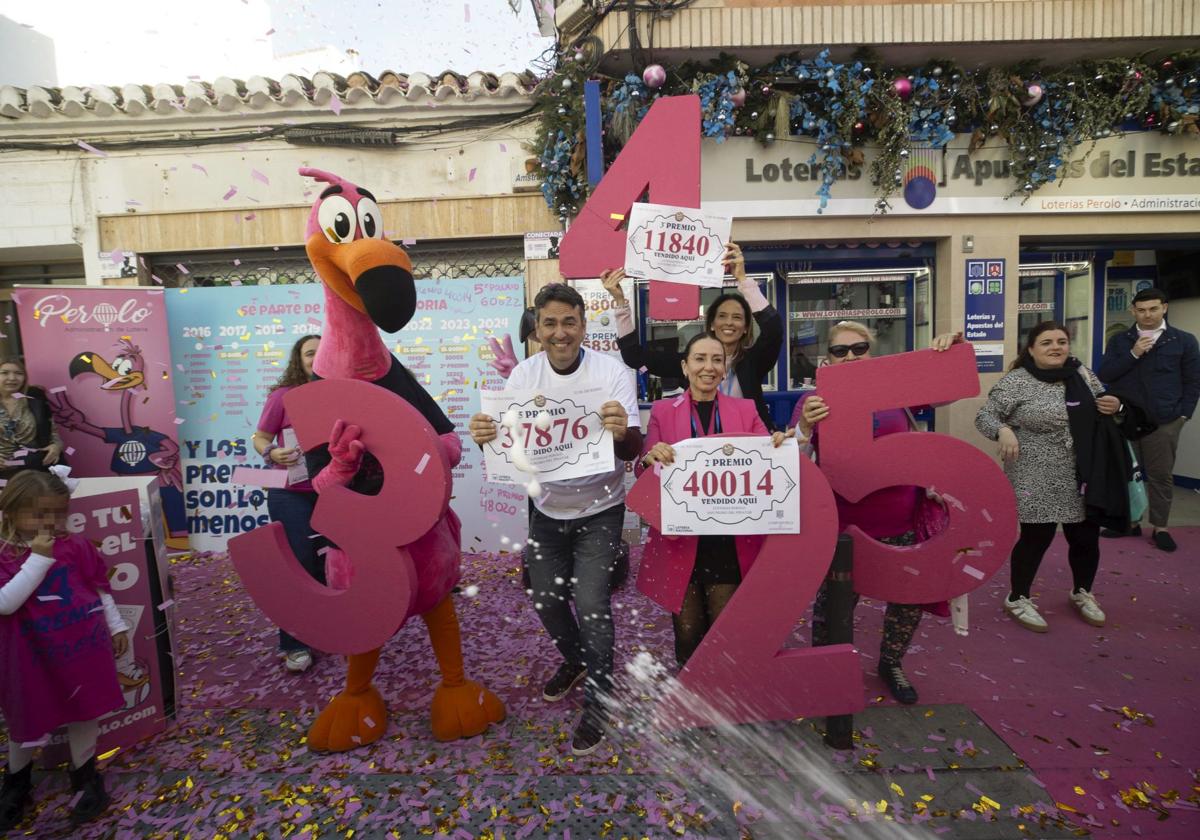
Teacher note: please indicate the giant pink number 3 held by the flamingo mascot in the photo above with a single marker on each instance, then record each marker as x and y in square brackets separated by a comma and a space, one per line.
[371, 530]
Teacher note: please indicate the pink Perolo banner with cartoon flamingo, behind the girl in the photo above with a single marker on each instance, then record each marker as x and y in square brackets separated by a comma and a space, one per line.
[103, 355]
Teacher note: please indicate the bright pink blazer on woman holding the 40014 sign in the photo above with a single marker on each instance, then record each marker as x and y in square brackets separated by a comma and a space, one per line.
[668, 563]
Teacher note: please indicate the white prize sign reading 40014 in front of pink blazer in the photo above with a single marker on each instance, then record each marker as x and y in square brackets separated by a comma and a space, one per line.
[731, 485]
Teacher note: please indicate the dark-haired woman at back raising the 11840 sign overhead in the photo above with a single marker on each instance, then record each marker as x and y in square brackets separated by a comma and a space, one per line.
[731, 319]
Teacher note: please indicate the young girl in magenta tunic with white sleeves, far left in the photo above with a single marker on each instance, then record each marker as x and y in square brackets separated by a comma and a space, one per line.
[61, 633]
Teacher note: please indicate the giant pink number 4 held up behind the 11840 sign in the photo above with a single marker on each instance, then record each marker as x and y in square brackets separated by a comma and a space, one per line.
[664, 158]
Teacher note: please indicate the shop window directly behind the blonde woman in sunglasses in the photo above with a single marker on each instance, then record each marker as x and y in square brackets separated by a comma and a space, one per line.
[895, 303]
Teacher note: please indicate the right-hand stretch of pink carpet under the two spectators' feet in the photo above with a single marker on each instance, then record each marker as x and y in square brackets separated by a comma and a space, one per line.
[1094, 712]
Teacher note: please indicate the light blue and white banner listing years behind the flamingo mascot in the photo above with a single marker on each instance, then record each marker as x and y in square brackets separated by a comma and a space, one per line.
[230, 345]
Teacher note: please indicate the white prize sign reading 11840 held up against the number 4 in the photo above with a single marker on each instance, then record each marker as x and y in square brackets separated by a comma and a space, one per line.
[681, 245]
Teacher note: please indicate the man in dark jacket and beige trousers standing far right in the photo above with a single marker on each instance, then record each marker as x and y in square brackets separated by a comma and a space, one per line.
[1162, 365]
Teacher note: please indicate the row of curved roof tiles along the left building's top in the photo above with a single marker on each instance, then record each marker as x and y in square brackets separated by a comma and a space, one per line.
[261, 94]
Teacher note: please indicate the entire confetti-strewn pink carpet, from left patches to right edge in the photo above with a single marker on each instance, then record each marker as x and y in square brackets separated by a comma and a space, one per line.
[1103, 717]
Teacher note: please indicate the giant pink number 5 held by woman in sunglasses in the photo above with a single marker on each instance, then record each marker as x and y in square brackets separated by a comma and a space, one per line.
[981, 502]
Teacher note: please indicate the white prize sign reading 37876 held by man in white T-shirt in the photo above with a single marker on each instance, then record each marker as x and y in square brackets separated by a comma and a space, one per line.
[556, 436]
